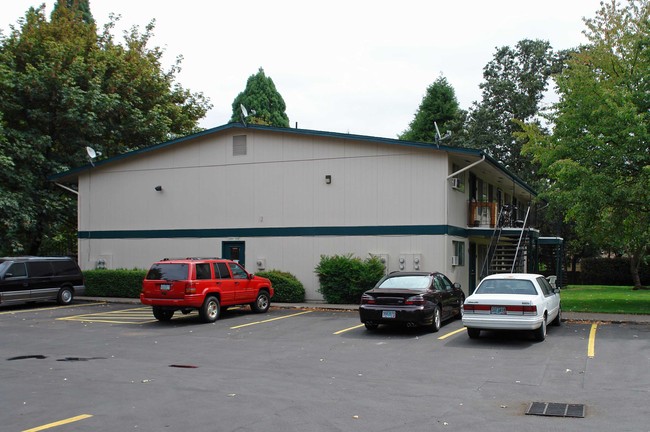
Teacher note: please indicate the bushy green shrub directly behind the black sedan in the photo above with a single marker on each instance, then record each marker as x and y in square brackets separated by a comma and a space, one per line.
[344, 278]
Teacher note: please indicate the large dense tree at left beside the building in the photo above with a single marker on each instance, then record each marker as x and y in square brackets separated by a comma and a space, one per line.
[63, 87]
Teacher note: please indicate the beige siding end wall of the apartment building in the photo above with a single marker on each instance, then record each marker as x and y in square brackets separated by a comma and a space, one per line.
[279, 183]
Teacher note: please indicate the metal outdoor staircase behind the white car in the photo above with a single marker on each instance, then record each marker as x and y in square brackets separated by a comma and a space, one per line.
[508, 248]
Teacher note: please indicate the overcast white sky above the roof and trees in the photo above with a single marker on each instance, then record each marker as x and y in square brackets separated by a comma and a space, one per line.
[357, 66]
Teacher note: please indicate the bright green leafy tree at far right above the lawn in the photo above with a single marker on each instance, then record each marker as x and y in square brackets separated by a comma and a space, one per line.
[598, 157]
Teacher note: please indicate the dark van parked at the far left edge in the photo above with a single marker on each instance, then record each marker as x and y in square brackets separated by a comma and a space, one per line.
[30, 279]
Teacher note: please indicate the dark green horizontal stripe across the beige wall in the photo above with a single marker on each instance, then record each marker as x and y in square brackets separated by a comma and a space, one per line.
[278, 232]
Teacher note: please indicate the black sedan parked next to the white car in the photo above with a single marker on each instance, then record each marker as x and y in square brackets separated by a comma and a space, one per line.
[411, 298]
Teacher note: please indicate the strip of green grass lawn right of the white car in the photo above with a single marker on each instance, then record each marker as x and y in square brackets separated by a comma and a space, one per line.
[605, 299]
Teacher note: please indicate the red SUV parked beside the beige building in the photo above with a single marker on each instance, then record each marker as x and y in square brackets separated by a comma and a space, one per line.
[209, 285]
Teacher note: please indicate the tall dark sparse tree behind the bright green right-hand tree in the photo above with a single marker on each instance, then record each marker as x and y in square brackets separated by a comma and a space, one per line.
[515, 82]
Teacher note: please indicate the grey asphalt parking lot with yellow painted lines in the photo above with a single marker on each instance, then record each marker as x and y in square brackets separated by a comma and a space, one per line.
[111, 367]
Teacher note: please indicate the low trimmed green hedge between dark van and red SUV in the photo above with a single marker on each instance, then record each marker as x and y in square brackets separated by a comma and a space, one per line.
[114, 283]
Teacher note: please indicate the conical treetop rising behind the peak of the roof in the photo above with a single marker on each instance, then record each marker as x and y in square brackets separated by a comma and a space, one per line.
[262, 101]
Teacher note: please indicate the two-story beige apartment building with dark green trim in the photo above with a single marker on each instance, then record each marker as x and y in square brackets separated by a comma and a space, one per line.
[276, 198]
